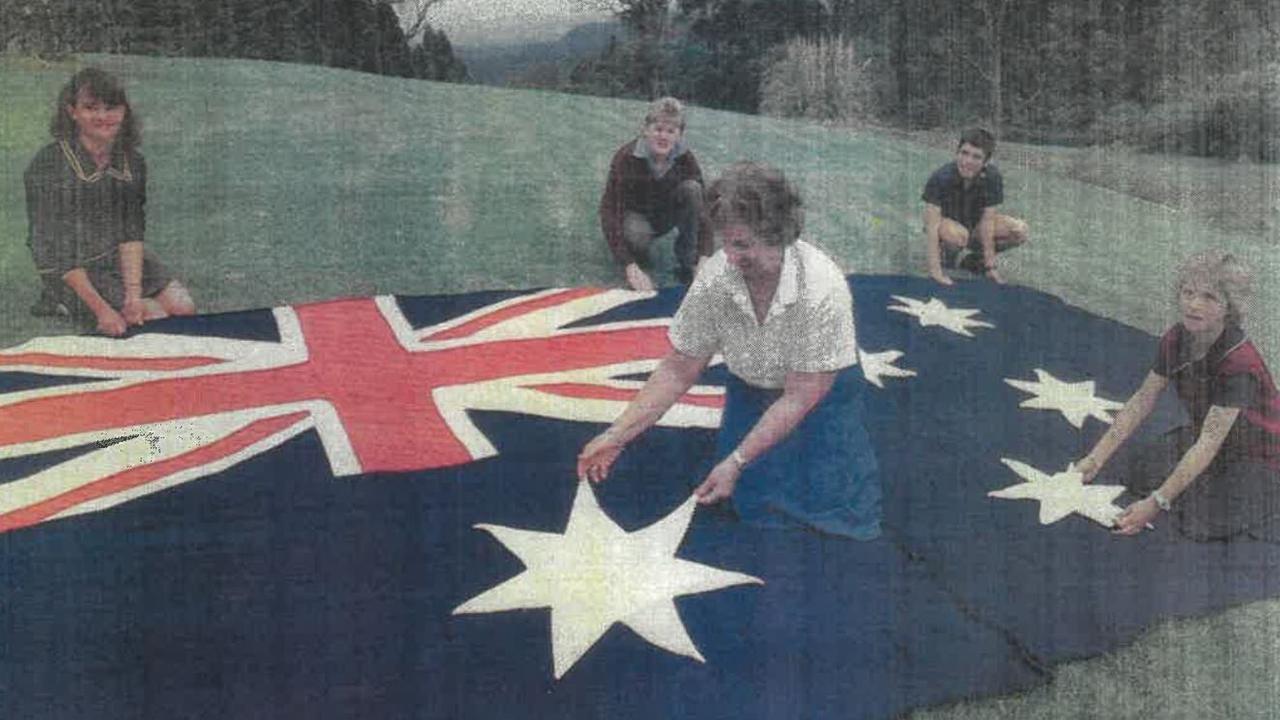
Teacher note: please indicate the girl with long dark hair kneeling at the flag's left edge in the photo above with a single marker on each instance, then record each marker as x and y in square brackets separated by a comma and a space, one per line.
[86, 197]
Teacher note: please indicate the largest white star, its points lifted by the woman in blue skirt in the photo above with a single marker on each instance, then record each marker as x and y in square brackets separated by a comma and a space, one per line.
[598, 575]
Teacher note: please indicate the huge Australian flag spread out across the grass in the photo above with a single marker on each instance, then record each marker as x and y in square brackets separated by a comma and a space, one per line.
[368, 509]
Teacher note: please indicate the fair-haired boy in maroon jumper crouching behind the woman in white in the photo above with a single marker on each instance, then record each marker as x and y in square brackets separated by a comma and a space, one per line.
[656, 185]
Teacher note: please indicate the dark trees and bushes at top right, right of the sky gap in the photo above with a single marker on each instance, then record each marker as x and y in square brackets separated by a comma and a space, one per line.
[1187, 76]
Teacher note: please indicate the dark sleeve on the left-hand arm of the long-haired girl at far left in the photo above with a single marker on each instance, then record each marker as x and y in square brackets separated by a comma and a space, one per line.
[51, 211]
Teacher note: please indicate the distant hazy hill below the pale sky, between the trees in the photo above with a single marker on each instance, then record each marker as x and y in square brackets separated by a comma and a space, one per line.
[501, 63]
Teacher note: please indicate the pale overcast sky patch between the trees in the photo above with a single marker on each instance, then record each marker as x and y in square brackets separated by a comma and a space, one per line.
[472, 21]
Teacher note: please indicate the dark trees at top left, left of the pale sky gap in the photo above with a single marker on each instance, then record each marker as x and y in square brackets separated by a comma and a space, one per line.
[362, 35]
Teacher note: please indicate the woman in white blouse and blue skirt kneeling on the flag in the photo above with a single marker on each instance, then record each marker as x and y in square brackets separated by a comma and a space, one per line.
[793, 448]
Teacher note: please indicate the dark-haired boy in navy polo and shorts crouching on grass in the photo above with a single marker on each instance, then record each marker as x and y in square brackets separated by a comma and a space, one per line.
[962, 225]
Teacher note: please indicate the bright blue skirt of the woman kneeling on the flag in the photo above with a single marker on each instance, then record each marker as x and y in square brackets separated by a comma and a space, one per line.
[824, 476]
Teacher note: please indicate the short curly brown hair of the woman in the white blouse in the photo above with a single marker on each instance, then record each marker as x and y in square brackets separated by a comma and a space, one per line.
[761, 198]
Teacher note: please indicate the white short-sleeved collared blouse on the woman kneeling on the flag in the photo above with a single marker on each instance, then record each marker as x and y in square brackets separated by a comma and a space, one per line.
[810, 327]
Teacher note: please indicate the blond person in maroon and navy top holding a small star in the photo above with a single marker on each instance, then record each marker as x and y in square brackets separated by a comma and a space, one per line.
[1220, 476]
